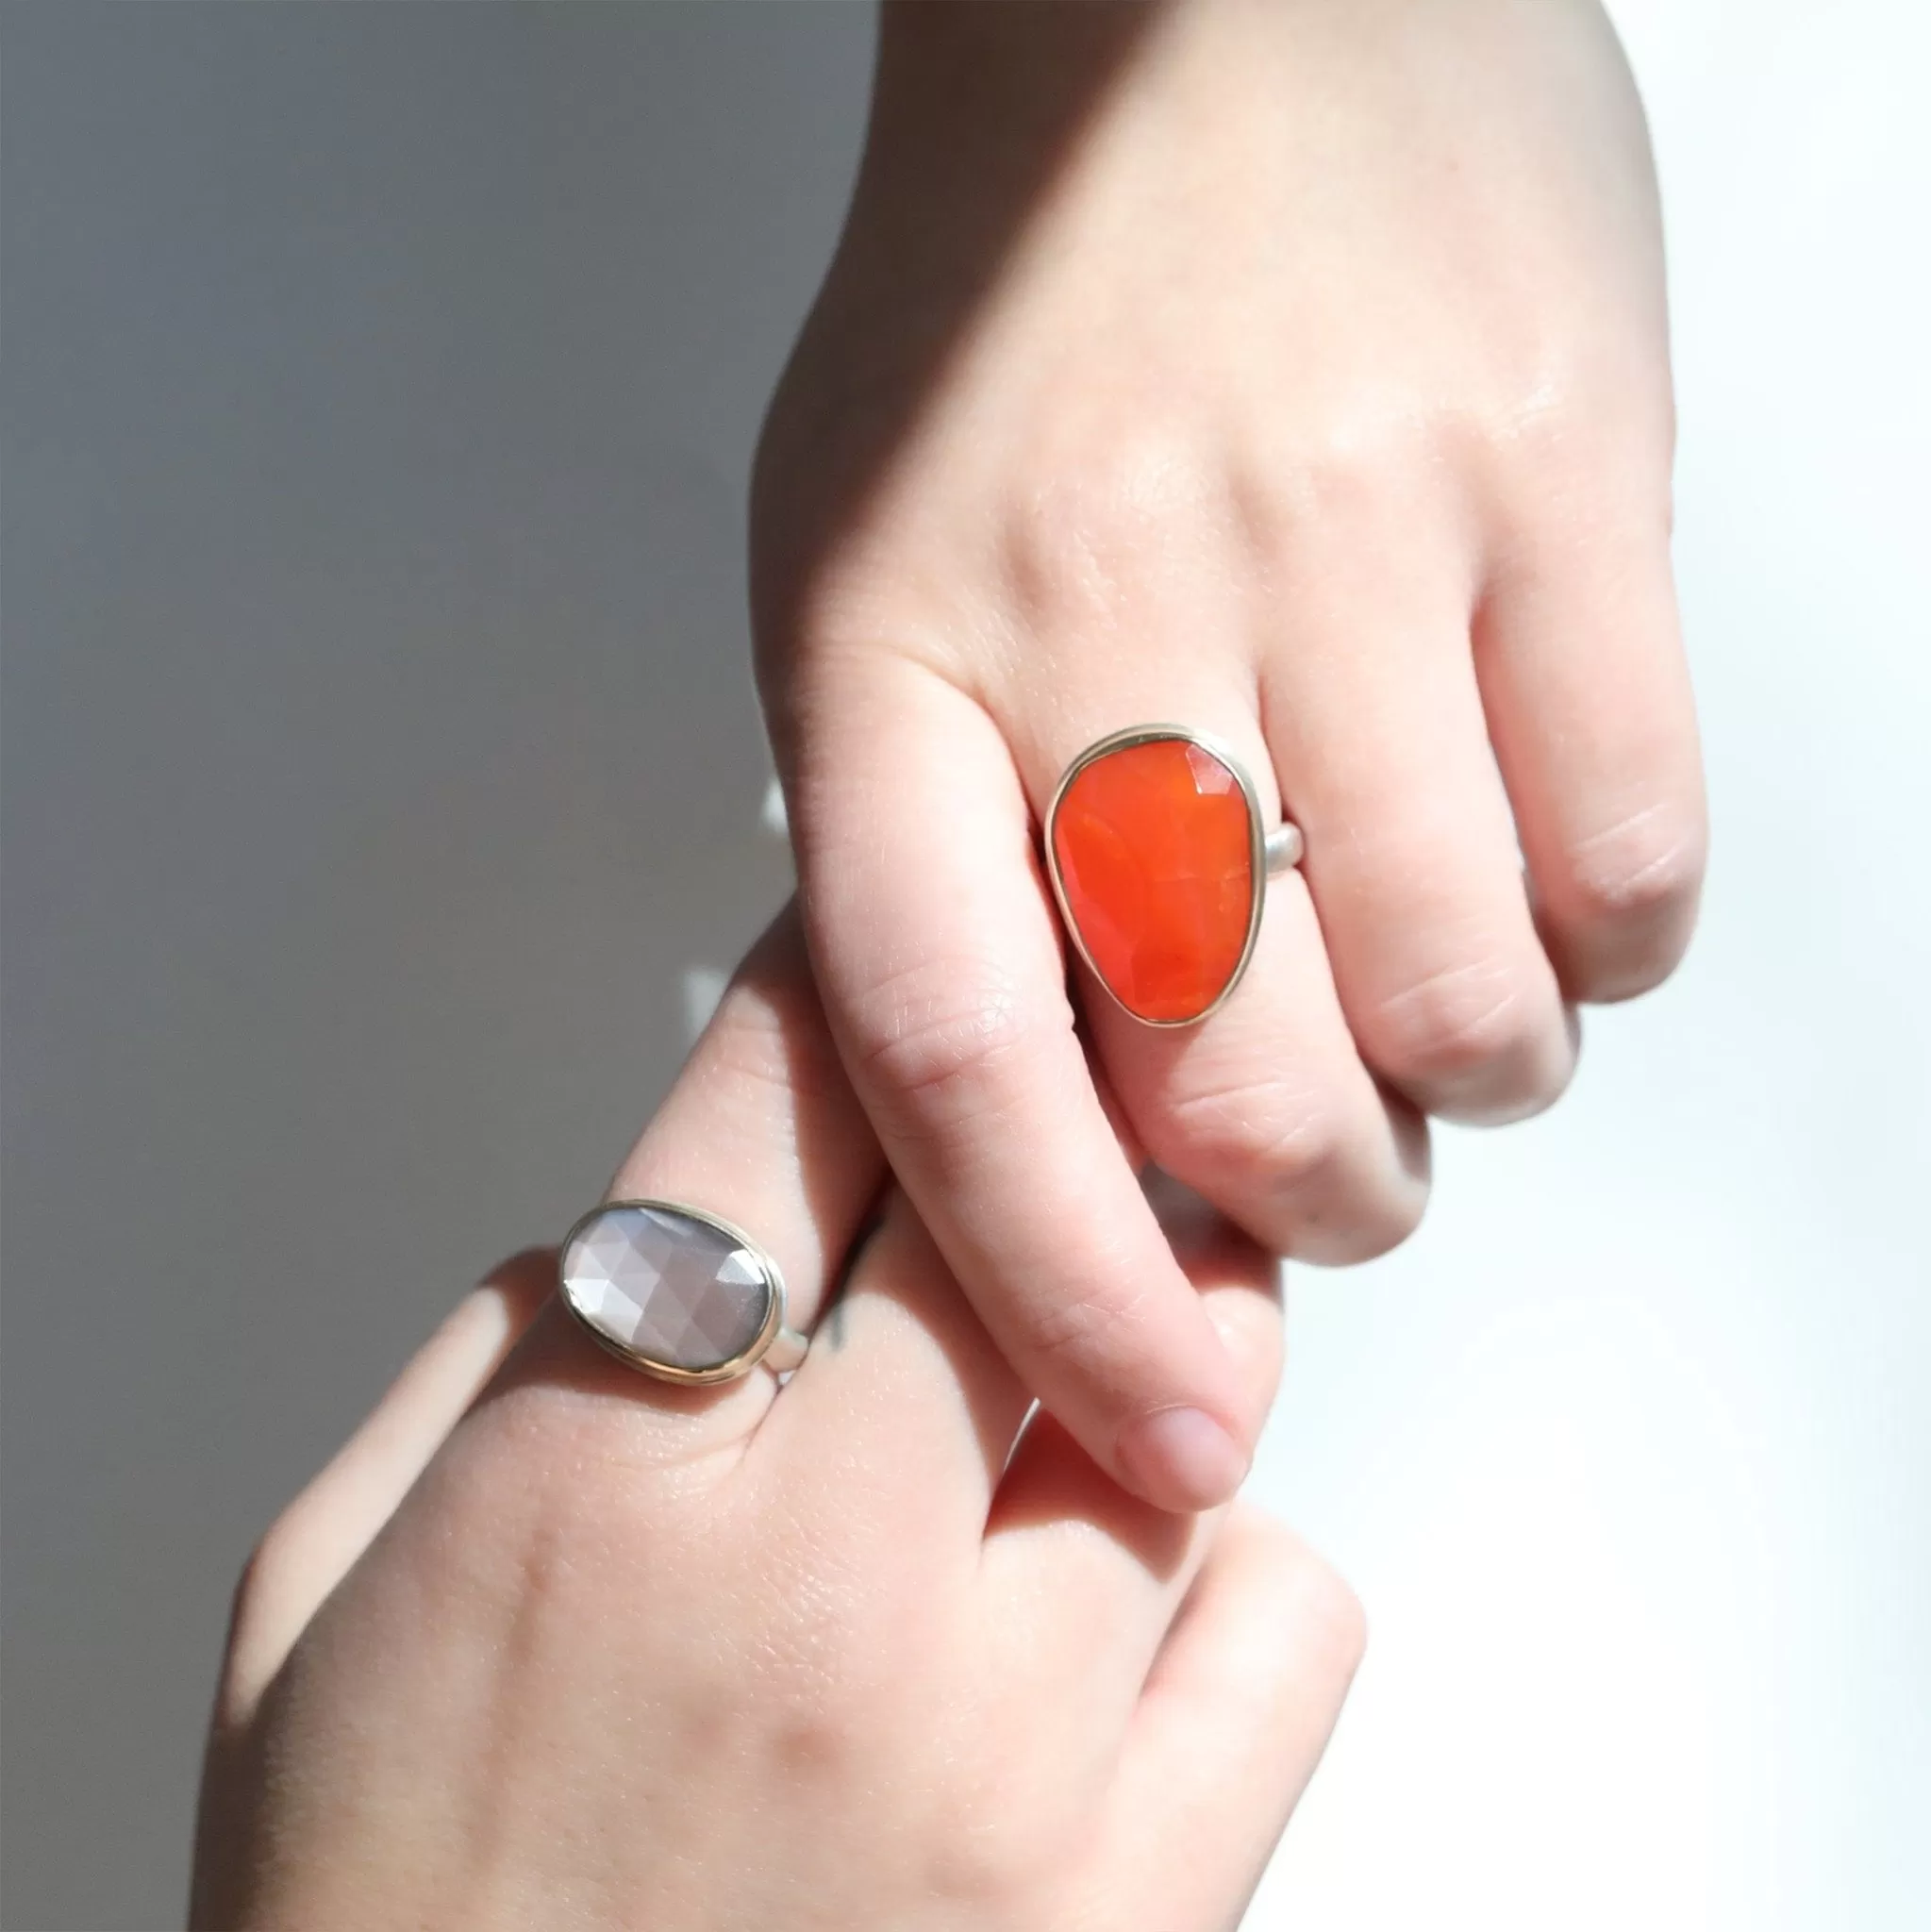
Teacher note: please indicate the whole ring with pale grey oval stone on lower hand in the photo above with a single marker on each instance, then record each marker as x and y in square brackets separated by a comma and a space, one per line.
[677, 1293]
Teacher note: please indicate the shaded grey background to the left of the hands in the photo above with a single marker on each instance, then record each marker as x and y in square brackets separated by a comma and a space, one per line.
[379, 749]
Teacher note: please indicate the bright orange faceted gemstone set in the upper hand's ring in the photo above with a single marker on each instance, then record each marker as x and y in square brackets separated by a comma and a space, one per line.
[1156, 861]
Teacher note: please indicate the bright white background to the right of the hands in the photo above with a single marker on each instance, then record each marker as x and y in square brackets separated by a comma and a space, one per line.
[1631, 1452]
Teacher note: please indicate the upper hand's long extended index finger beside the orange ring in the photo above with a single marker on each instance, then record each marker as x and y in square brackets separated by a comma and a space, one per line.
[947, 992]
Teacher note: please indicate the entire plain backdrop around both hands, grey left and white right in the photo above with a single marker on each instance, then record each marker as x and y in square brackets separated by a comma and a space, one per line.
[381, 766]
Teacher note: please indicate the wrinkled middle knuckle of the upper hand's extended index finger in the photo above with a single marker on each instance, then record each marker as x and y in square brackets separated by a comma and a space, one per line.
[953, 1040]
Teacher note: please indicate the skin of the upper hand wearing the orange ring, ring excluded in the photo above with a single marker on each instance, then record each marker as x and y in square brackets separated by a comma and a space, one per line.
[1295, 370]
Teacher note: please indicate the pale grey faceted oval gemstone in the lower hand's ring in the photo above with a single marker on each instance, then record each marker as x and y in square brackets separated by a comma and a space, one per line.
[667, 1288]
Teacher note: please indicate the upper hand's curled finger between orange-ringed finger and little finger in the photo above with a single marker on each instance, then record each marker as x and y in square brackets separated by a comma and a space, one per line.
[1382, 747]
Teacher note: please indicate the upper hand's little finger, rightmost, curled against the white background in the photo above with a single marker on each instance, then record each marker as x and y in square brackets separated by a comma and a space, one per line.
[1594, 725]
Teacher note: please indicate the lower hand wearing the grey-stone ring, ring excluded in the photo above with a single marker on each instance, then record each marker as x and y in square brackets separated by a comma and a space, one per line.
[603, 1655]
